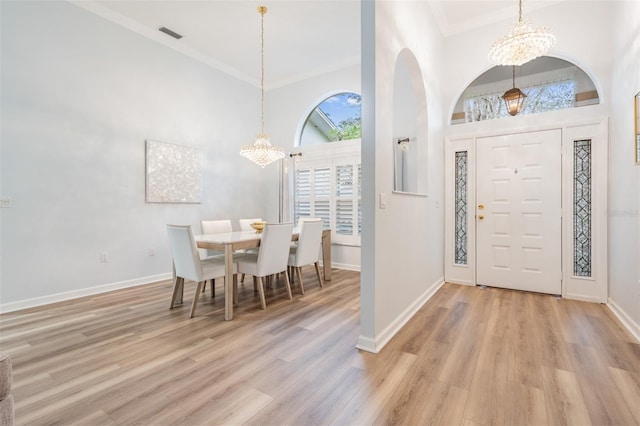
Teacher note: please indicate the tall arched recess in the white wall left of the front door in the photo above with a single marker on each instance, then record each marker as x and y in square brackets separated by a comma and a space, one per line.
[409, 142]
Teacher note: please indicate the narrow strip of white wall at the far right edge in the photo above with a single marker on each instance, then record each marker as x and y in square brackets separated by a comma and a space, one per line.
[624, 189]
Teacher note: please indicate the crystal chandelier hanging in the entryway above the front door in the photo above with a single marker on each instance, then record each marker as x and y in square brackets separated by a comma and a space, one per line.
[523, 43]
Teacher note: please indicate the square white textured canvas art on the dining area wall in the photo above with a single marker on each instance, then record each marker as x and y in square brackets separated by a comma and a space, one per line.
[174, 173]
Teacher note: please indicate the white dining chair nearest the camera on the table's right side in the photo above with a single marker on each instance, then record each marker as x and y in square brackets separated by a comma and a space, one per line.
[271, 258]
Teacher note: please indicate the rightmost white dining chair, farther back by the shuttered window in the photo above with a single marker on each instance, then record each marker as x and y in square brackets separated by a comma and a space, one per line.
[307, 251]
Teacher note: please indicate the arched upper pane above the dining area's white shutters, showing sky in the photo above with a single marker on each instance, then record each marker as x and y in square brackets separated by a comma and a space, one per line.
[336, 118]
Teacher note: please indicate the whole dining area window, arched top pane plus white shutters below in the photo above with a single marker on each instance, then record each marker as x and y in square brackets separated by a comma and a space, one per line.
[326, 175]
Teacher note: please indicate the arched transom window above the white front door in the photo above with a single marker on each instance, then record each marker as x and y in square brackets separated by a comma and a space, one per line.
[550, 84]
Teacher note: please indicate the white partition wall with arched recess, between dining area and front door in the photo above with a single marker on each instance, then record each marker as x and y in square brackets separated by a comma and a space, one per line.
[409, 231]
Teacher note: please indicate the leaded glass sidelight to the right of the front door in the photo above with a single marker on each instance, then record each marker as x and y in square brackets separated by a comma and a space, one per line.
[582, 208]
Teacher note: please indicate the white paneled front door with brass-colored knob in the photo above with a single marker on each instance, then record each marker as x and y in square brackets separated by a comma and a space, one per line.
[518, 211]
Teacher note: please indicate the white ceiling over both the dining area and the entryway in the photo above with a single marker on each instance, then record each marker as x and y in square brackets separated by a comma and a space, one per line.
[302, 37]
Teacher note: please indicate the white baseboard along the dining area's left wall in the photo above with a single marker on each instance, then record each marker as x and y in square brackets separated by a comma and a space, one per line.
[74, 294]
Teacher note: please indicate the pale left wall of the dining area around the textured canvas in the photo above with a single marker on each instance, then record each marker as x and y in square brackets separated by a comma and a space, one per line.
[79, 97]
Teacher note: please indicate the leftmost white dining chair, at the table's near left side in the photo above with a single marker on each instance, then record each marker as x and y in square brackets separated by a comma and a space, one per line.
[188, 264]
